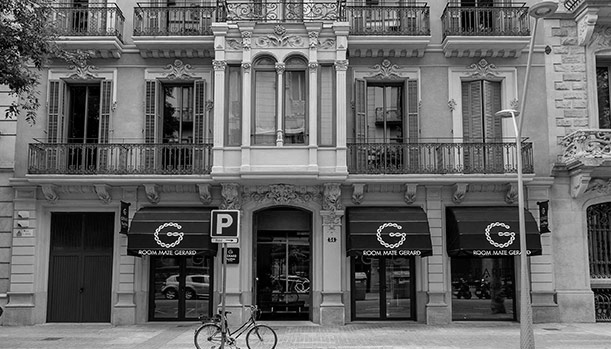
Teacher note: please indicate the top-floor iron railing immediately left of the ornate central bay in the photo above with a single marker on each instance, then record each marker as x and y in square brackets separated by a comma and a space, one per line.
[152, 20]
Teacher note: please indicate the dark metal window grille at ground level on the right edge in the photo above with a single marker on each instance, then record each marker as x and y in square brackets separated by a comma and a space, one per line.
[599, 240]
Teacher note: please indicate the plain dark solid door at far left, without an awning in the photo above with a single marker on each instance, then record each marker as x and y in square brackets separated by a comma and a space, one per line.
[80, 267]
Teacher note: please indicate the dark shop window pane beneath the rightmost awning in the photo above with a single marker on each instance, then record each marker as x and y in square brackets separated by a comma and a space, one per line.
[483, 289]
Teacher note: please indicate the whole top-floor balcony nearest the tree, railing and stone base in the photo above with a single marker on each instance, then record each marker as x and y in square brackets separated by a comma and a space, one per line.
[96, 27]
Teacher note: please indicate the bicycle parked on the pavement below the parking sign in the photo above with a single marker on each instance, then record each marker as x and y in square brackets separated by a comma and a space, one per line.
[209, 334]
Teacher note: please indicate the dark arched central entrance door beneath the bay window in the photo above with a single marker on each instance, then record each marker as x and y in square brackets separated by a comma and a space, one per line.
[283, 263]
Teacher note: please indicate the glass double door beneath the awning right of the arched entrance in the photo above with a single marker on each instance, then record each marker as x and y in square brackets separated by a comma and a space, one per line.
[383, 288]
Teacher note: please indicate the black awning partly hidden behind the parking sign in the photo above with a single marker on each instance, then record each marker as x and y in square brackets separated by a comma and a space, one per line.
[170, 231]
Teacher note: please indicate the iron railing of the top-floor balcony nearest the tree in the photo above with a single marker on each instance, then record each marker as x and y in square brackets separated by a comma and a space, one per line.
[93, 19]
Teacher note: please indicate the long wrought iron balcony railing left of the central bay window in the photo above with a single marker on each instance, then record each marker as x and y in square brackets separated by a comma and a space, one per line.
[119, 158]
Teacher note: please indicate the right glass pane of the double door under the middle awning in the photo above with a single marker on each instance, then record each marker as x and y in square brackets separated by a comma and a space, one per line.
[398, 287]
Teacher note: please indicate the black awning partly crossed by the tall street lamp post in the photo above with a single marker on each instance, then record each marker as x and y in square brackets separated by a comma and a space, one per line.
[489, 231]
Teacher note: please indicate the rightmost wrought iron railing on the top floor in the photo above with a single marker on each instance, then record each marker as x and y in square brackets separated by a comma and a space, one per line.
[486, 21]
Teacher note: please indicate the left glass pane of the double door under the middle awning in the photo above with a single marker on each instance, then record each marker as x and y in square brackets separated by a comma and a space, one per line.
[367, 285]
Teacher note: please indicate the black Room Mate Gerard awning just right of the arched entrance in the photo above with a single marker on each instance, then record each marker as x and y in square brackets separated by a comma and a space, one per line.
[388, 231]
